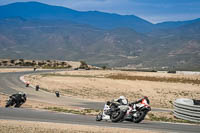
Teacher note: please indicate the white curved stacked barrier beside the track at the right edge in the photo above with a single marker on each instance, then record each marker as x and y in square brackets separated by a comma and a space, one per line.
[186, 110]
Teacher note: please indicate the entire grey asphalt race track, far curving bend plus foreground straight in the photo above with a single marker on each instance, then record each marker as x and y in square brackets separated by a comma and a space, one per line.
[10, 83]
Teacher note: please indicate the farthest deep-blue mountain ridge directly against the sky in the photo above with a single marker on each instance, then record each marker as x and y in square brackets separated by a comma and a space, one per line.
[35, 10]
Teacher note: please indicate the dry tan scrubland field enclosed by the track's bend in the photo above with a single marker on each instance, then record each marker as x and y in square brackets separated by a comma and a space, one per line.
[99, 85]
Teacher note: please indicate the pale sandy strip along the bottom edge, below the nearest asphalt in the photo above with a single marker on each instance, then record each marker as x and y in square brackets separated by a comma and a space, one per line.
[11, 126]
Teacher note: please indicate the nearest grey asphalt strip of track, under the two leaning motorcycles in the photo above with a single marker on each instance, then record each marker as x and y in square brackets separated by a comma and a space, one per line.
[46, 116]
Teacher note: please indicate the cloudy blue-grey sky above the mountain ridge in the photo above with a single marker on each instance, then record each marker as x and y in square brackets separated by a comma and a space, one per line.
[151, 10]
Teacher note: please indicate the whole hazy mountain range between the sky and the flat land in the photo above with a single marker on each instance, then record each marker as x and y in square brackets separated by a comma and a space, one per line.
[40, 33]
